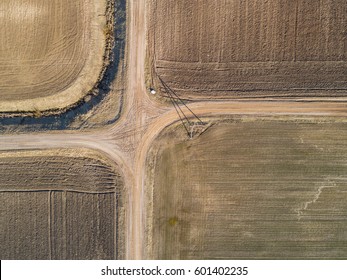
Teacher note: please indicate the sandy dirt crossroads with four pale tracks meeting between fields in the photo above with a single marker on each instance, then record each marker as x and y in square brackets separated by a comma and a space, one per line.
[127, 141]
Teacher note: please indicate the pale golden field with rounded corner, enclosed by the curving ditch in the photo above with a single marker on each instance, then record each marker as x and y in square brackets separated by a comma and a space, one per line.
[51, 52]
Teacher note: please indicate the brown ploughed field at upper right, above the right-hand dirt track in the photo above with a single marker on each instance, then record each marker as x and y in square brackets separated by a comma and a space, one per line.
[249, 49]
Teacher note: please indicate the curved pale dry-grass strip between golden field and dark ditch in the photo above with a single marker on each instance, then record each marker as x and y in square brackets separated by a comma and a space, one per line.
[93, 78]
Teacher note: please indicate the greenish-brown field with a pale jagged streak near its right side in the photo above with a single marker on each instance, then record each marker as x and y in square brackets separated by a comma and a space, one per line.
[249, 188]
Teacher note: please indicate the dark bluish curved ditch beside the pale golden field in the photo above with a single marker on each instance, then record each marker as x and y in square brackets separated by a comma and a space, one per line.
[57, 120]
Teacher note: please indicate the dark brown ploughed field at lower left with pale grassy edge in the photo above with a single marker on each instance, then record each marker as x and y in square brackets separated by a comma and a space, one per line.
[60, 204]
